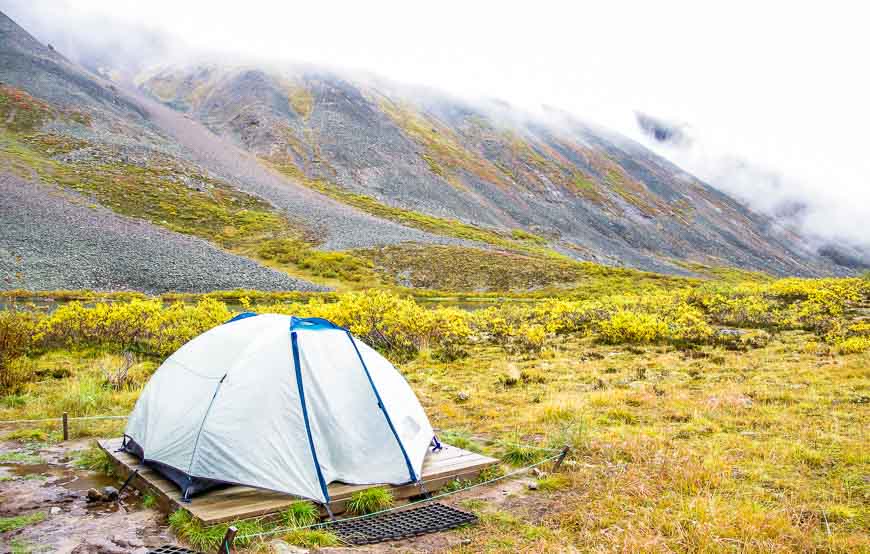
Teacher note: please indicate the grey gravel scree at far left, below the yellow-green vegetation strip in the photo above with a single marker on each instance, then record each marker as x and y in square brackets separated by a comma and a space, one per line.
[53, 240]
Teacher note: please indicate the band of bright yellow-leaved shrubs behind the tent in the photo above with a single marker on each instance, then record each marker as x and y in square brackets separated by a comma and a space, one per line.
[735, 316]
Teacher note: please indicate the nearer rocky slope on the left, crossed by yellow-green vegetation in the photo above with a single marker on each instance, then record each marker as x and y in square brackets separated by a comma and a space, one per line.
[72, 131]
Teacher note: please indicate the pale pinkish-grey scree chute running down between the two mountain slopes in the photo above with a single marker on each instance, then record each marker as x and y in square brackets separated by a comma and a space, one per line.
[340, 226]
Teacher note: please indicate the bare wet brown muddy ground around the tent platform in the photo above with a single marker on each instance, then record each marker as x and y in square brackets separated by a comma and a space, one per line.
[41, 478]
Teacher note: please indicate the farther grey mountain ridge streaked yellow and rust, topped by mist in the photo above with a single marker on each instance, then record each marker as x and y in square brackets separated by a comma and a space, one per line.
[595, 195]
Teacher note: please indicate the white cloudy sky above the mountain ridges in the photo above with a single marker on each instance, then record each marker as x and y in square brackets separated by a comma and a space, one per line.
[773, 95]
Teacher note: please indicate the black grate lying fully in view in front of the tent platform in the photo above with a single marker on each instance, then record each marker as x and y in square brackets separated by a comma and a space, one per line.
[403, 524]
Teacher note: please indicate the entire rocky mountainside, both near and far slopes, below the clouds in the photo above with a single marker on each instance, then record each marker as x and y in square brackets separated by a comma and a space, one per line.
[212, 176]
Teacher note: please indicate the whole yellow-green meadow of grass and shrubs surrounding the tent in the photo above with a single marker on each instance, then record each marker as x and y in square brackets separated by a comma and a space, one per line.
[703, 416]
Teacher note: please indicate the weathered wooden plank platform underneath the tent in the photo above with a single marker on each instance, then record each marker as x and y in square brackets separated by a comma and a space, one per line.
[237, 502]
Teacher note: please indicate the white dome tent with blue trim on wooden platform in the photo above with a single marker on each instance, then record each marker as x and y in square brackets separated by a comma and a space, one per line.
[281, 403]
